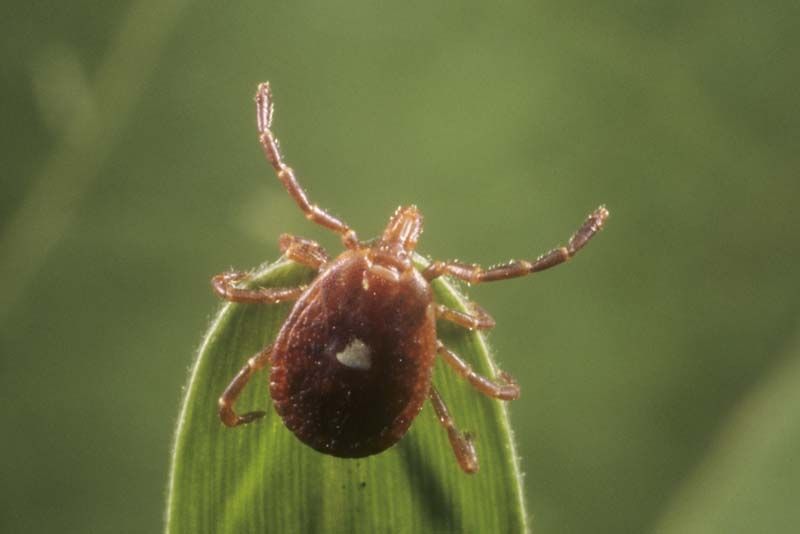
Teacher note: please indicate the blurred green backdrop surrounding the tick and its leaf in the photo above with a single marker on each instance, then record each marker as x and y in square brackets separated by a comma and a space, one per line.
[659, 369]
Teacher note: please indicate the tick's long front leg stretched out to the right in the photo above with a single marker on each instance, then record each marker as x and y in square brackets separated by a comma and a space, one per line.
[475, 273]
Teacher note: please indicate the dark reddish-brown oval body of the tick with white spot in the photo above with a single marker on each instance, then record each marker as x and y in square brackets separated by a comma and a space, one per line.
[351, 366]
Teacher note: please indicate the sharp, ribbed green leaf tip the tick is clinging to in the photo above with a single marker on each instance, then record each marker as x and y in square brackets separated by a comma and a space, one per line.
[260, 478]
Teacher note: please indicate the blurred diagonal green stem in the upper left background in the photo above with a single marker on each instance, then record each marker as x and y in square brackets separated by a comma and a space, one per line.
[53, 199]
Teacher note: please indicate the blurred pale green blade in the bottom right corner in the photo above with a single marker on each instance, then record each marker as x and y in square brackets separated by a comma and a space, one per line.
[748, 482]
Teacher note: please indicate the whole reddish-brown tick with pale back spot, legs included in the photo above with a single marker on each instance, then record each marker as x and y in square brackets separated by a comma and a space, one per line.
[351, 367]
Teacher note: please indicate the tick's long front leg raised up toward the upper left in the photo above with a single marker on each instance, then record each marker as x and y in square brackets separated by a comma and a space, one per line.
[286, 175]
